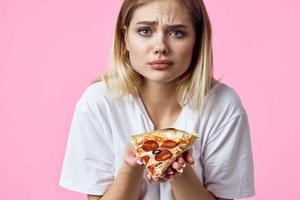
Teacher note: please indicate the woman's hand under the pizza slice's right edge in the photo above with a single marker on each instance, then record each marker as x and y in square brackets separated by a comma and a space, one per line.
[176, 169]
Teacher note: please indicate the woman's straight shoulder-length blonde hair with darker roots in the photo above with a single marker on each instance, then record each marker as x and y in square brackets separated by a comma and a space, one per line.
[121, 79]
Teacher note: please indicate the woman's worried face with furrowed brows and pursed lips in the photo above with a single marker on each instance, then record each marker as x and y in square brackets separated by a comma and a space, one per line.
[161, 32]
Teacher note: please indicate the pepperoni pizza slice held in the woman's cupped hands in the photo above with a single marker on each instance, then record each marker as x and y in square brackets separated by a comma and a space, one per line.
[160, 148]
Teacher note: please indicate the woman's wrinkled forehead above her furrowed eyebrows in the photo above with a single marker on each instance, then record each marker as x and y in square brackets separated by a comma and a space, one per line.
[162, 12]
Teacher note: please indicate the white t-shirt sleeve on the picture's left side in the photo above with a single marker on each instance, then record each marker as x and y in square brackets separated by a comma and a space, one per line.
[88, 165]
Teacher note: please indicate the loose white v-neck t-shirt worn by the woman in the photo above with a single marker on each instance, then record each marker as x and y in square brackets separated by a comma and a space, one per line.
[101, 127]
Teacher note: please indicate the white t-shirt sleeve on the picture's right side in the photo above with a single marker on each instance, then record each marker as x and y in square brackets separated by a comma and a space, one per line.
[227, 160]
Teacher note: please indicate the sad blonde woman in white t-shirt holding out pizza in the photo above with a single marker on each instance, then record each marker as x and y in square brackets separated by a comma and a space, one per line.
[160, 77]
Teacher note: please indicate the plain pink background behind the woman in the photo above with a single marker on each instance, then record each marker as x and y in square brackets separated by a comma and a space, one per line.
[51, 50]
